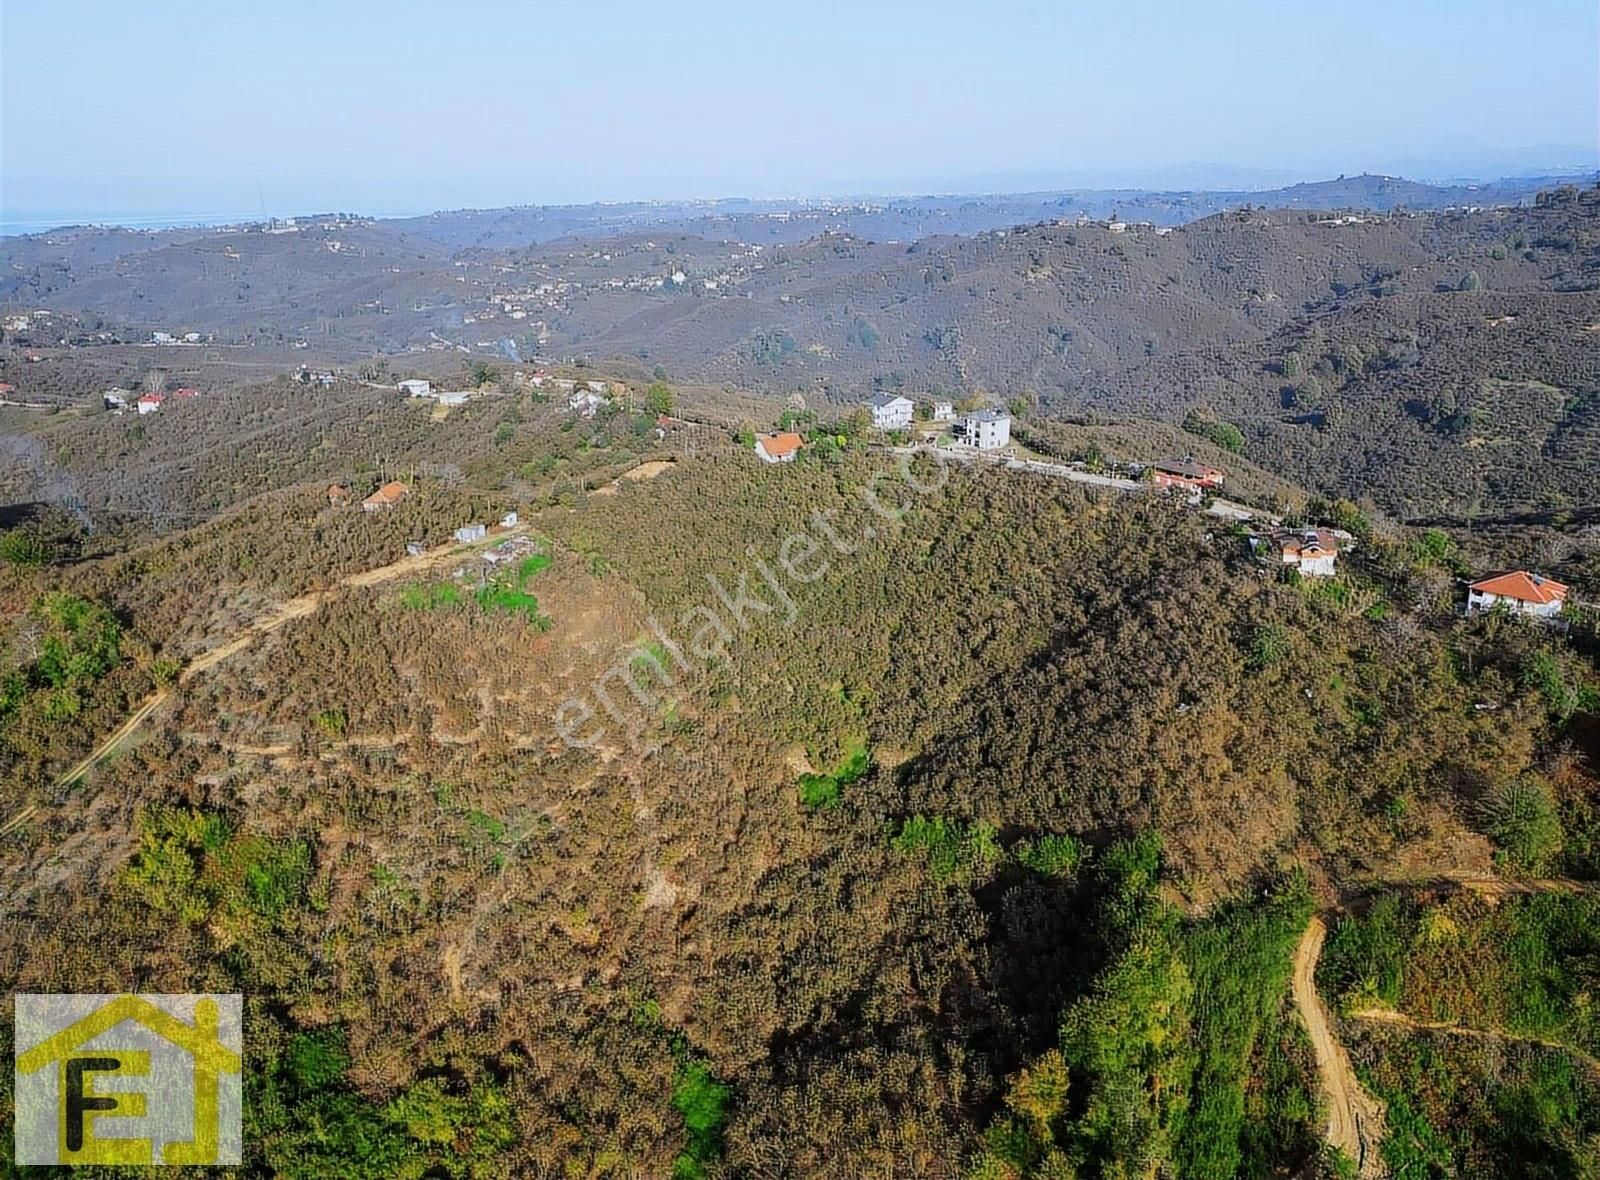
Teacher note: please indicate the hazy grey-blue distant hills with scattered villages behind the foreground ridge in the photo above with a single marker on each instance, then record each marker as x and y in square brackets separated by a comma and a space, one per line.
[1444, 357]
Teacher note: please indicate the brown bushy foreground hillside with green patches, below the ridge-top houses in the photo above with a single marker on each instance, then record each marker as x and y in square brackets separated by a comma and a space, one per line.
[964, 834]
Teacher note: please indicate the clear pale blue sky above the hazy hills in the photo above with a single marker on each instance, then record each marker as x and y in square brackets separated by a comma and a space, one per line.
[220, 110]
